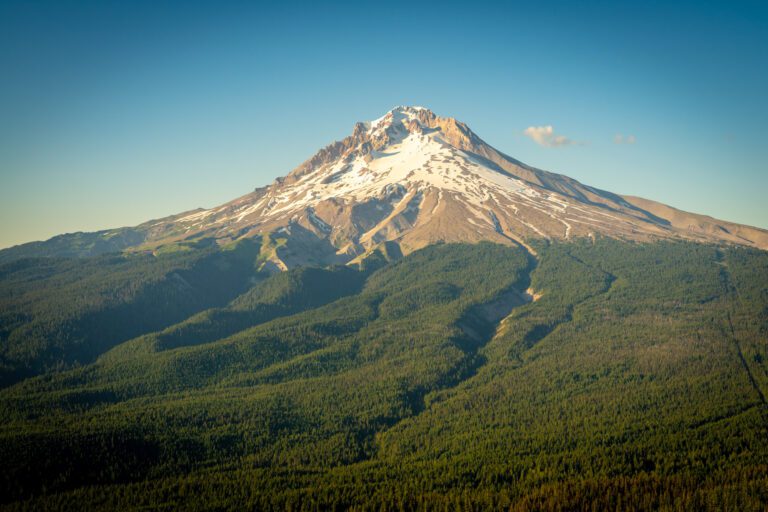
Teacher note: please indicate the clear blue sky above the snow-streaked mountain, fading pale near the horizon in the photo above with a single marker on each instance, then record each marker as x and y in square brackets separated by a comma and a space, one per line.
[113, 113]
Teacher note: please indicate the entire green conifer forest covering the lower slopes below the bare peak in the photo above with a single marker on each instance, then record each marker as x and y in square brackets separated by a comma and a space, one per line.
[636, 381]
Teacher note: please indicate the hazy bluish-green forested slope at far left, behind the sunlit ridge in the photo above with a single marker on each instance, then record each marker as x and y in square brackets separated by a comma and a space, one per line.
[56, 313]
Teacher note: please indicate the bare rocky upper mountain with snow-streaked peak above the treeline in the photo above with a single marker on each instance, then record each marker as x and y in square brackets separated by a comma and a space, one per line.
[413, 178]
